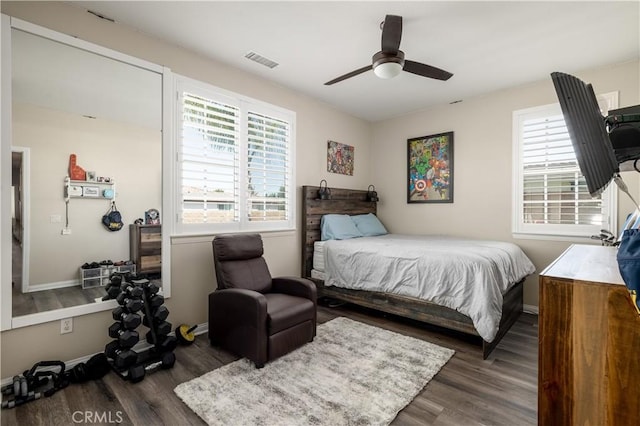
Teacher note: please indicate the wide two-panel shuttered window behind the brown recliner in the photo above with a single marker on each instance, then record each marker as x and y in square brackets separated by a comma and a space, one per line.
[234, 162]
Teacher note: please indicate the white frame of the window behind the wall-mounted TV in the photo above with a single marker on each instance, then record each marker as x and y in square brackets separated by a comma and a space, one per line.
[520, 229]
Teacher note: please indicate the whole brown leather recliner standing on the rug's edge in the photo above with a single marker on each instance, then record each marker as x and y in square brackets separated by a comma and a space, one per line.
[252, 314]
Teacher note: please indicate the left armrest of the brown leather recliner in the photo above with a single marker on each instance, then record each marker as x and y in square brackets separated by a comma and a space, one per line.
[239, 305]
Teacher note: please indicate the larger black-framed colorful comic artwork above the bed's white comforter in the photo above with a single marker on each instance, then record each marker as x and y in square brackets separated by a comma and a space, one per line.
[430, 169]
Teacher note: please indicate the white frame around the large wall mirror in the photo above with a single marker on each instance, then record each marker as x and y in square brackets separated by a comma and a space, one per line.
[8, 23]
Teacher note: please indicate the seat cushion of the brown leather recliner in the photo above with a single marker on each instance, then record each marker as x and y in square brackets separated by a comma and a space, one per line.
[285, 311]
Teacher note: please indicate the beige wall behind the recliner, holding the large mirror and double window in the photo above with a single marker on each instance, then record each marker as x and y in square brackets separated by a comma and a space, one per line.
[191, 261]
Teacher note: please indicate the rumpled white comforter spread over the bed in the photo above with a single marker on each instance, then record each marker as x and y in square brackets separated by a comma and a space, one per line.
[469, 276]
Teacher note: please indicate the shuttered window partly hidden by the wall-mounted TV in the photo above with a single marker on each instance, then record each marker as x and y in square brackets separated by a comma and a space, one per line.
[551, 196]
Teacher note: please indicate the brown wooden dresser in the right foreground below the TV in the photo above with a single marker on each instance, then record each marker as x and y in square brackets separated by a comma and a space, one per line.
[589, 342]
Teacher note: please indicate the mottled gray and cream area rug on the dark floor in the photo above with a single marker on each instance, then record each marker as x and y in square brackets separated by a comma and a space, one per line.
[351, 374]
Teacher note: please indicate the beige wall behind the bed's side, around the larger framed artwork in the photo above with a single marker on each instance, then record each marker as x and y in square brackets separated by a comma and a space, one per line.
[483, 152]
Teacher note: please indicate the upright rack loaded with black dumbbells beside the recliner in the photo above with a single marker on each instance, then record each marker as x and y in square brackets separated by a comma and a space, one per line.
[138, 296]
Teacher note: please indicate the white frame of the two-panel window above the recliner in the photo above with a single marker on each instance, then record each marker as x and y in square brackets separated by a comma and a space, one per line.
[245, 105]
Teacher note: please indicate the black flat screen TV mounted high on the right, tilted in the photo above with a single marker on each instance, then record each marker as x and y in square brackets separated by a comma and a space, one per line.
[587, 130]
